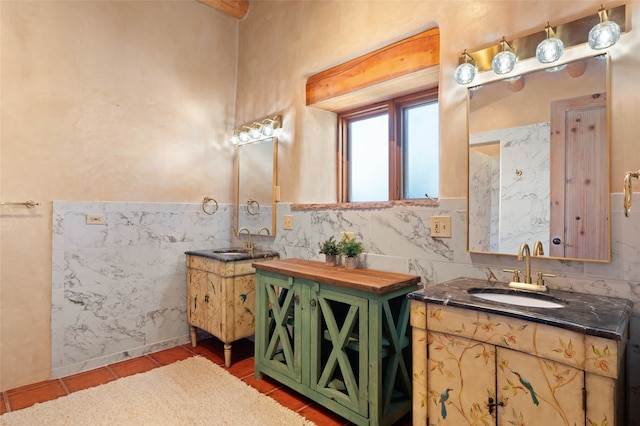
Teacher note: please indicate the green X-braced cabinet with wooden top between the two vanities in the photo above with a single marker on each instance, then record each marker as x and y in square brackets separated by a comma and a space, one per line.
[339, 337]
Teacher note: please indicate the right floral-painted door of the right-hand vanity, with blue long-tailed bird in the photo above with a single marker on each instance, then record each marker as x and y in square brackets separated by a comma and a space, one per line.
[538, 391]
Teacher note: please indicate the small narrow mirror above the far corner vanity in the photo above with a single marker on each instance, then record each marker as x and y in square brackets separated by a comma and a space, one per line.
[256, 202]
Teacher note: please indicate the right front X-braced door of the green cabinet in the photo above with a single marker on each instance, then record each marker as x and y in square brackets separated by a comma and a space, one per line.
[340, 347]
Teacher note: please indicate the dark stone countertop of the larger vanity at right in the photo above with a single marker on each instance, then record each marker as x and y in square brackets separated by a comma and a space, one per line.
[601, 316]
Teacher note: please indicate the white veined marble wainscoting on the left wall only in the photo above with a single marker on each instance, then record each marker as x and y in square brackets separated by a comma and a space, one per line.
[119, 289]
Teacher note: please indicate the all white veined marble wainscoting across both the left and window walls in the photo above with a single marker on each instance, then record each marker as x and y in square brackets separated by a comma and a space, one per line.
[119, 289]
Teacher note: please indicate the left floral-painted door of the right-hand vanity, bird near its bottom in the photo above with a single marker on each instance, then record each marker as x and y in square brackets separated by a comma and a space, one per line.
[460, 381]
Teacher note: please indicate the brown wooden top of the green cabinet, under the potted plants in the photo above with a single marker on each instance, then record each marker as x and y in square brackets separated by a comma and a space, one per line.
[370, 280]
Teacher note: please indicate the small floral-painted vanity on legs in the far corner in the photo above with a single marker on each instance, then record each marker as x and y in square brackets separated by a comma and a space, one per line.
[221, 293]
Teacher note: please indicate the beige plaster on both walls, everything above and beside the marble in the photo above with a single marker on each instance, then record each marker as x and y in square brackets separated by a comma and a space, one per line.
[123, 101]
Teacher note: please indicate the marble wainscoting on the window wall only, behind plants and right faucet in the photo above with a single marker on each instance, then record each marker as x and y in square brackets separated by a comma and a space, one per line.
[398, 240]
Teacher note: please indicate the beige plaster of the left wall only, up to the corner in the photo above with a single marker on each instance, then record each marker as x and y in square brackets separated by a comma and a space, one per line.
[101, 101]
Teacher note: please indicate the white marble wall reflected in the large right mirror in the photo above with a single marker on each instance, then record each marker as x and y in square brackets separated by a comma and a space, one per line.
[523, 186]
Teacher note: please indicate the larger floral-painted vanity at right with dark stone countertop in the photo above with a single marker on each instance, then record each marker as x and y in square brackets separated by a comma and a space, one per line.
[482, 362]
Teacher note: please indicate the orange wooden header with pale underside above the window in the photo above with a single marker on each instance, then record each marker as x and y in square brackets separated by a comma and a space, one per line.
[390, 69]
